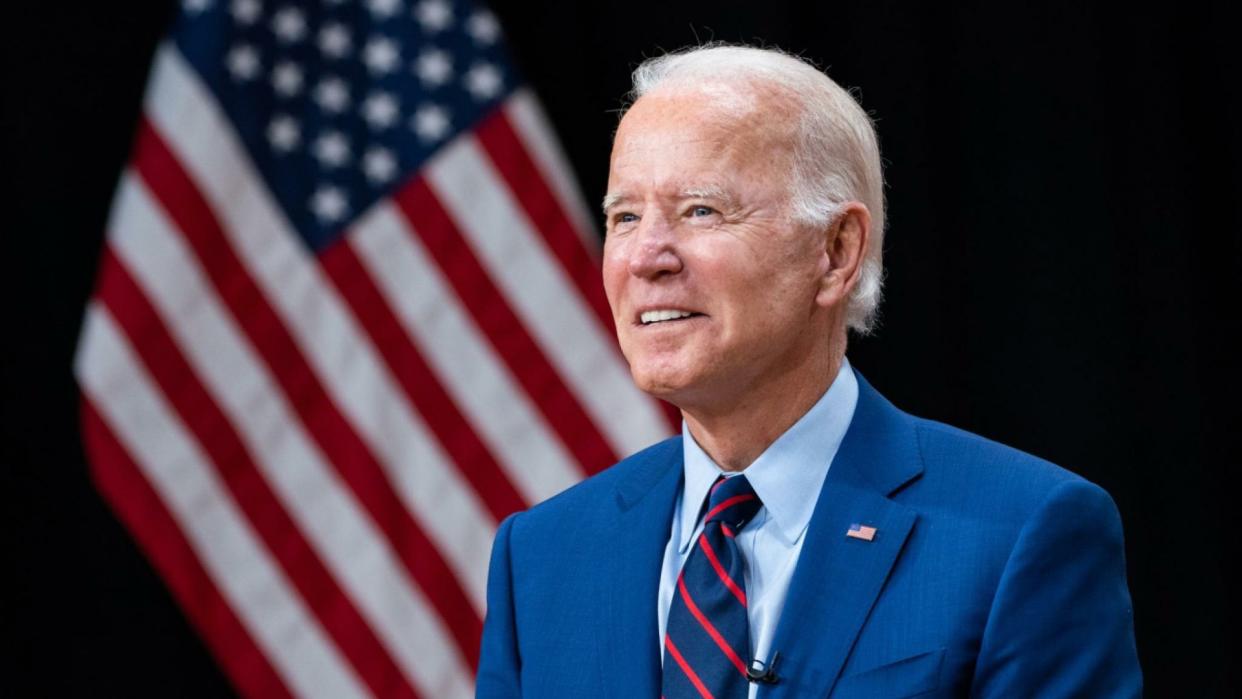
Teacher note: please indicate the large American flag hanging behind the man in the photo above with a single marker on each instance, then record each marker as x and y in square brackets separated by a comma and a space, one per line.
[348, 317]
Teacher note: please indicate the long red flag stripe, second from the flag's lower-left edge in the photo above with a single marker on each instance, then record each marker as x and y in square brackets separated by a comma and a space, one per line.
[218, 438]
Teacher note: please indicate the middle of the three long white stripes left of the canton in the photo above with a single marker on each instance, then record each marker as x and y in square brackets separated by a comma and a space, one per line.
[356, 553]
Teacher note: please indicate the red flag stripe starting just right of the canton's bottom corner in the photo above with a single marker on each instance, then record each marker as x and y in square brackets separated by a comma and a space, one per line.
[475, 461]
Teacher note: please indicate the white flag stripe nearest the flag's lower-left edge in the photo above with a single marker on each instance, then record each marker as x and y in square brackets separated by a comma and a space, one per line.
[244, 573]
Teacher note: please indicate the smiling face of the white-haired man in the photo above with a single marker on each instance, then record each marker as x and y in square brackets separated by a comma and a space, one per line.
[699, 224]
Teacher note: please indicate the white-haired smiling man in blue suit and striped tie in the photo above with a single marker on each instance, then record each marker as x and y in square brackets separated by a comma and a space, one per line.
[802, 537]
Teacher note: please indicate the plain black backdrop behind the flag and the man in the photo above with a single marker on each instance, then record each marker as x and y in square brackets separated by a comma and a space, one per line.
[1064, 276]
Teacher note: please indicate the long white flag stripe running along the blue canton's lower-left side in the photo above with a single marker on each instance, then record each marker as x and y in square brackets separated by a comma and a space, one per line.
[346, 363]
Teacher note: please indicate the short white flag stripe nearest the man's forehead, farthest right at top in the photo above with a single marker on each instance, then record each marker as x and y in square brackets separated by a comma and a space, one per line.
[532, 125]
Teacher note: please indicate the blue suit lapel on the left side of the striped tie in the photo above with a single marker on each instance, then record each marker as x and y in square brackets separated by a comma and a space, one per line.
[630, 575]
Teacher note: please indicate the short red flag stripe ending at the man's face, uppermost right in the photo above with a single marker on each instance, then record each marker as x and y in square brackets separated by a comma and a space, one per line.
[531, 191]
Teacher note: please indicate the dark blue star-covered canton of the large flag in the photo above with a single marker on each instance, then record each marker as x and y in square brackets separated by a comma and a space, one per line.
[336, 101]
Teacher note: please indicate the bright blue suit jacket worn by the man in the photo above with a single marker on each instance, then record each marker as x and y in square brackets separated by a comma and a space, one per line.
[992, 574]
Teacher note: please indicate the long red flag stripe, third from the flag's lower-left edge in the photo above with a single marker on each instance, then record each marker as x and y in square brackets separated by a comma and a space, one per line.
[352, 459]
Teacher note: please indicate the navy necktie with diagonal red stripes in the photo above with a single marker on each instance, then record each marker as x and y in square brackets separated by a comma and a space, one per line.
[707, 646]
